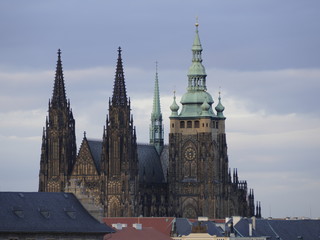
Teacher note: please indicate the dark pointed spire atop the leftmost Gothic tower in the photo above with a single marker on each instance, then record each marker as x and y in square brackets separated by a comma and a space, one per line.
[59, 93]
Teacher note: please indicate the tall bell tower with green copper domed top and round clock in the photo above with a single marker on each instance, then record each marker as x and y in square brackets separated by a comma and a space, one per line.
[198, 163]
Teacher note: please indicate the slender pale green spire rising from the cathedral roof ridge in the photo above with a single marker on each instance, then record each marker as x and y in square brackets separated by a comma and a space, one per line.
[156, 127]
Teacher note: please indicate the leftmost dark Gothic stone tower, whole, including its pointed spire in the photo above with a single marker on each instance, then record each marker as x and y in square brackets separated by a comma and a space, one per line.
[58, 151]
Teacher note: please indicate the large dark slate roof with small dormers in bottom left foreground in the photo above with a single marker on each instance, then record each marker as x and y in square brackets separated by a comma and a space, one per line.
[41, 212]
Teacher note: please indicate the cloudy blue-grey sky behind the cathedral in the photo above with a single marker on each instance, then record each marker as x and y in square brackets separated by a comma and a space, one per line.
[265, 56]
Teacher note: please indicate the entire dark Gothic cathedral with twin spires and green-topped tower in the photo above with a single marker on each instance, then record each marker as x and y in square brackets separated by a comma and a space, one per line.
[189, 177]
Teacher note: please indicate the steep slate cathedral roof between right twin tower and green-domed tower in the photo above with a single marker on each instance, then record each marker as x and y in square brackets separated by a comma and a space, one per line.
[149, 164]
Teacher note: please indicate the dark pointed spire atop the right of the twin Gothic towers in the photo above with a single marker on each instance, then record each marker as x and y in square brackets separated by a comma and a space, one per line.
[119, 97]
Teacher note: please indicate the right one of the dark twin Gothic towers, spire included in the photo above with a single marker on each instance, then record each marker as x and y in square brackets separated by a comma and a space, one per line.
[119, 164]
